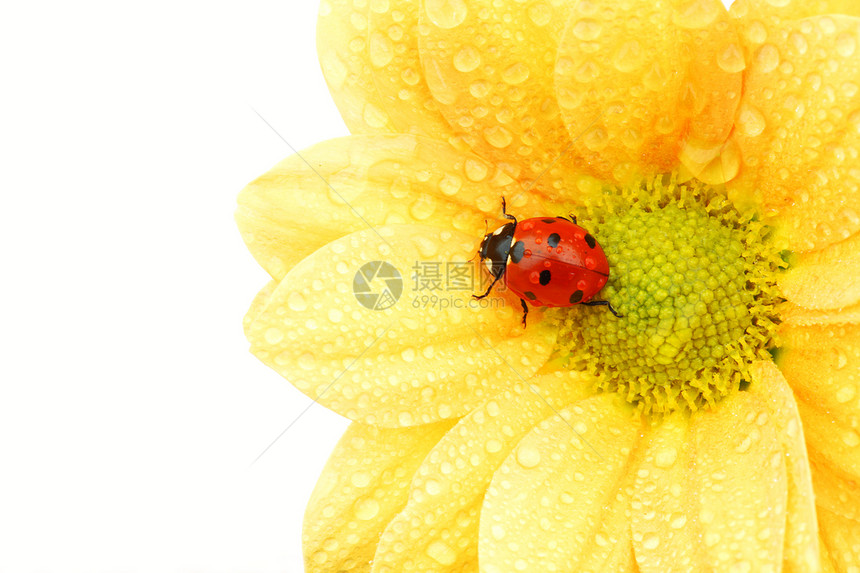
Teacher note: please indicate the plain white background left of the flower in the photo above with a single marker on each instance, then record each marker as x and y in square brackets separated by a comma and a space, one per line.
[130, 407]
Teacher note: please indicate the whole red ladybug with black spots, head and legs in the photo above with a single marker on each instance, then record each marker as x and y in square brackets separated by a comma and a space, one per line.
[547, 261]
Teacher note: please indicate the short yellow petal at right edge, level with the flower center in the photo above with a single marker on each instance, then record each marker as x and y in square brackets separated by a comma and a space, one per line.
[829, 278]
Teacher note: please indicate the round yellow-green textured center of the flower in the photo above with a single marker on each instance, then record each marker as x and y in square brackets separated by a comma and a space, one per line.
[695, 282]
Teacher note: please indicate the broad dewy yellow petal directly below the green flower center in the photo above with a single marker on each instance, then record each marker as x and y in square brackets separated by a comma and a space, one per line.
[710, 492]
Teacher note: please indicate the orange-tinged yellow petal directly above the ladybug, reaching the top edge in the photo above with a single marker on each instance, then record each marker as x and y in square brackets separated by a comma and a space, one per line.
[489, 66]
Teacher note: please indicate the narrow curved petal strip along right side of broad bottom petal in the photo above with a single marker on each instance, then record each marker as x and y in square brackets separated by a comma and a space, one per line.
[802, 552]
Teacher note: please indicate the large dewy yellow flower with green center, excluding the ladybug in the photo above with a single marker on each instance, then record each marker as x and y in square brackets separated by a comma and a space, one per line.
[665, 440]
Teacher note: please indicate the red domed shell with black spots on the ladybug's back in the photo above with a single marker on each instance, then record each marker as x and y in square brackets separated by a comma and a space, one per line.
[554, 262]
